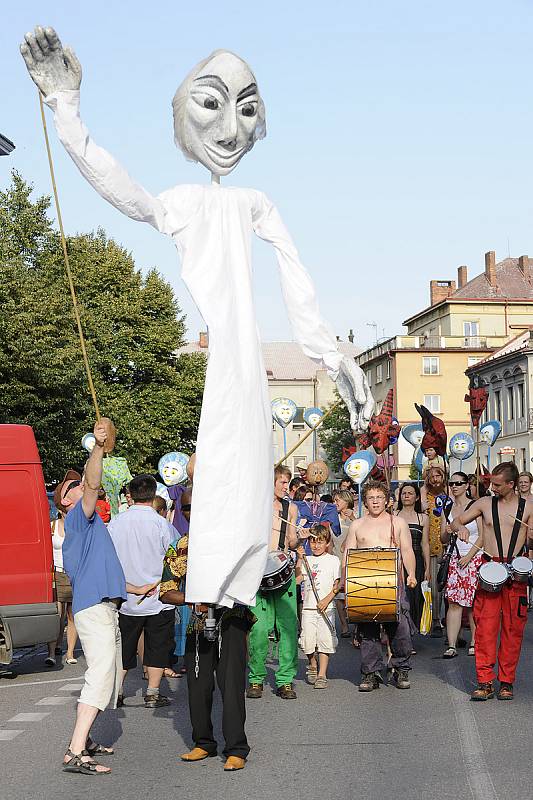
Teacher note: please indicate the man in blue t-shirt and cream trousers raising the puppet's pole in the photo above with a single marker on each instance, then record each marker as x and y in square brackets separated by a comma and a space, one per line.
[98, 589]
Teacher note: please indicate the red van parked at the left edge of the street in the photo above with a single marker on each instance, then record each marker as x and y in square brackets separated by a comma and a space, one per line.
[28, 607]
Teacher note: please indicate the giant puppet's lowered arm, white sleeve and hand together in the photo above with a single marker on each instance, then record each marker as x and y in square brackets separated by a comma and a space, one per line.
[309, 329]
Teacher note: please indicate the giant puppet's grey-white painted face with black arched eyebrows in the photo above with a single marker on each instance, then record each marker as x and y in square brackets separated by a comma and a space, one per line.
[222, 113]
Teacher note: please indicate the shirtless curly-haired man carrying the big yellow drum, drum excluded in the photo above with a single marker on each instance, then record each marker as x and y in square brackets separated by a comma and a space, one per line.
[379, 529]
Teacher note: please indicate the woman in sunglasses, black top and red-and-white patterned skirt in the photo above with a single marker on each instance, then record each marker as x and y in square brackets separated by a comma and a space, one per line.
[464, 566]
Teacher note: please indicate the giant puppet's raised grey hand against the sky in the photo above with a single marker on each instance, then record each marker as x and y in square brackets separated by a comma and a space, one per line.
[52, 67]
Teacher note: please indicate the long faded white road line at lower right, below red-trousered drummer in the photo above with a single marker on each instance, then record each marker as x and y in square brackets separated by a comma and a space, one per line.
[476, 769]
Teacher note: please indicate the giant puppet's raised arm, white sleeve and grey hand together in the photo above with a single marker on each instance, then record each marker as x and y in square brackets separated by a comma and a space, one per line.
[57, 73]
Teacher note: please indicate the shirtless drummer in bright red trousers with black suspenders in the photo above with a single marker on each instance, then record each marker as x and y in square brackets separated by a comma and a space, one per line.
[502, 613]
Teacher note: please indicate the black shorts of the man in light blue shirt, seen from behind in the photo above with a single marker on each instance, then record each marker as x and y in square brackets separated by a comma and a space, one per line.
[158, 638]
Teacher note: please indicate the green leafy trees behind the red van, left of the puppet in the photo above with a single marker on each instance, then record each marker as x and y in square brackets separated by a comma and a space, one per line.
[132, 324]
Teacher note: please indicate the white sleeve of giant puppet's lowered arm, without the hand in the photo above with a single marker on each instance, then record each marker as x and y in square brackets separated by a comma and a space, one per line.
[310, 331]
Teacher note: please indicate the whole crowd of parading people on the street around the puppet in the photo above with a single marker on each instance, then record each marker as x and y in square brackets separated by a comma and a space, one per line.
[121, 586]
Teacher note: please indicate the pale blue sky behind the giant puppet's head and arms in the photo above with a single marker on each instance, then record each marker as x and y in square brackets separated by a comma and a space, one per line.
[399, 138]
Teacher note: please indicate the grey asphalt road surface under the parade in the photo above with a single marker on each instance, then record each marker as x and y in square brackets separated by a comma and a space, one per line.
[426, 743]
